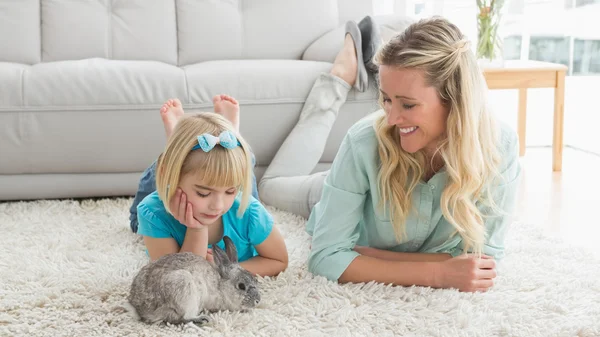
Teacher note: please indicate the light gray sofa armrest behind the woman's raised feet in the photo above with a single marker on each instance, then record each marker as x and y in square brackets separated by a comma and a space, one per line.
[327, 46]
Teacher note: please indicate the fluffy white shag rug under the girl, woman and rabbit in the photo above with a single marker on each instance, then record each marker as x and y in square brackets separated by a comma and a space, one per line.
[66, 268]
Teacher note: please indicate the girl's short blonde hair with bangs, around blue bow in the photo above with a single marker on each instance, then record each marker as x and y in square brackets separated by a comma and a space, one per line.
[220, 167]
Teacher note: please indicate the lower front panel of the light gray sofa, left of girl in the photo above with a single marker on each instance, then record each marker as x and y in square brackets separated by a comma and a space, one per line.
[74, 140]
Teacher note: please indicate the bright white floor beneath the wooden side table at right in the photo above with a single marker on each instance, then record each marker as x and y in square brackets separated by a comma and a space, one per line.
[563, 203]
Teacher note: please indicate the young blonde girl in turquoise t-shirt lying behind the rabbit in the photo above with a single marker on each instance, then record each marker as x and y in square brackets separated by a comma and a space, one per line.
[203, 192]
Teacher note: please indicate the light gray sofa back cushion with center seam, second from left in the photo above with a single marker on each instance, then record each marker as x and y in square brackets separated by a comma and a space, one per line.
[113, 29]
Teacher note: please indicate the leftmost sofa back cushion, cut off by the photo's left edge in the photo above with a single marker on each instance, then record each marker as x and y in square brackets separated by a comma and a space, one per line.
[20, 31]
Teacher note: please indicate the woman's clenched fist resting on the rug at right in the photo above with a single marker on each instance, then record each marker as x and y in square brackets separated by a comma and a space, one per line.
[467, 273]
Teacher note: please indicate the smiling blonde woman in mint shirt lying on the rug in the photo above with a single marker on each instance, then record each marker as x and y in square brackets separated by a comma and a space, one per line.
[420, 192]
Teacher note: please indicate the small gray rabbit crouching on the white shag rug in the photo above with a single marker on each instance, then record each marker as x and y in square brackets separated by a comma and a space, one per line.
[178, 288]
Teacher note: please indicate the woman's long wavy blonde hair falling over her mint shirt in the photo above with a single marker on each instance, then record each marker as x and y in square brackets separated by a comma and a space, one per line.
[469, 150]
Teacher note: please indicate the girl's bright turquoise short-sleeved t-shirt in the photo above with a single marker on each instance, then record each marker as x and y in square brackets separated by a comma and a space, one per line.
[246, 232]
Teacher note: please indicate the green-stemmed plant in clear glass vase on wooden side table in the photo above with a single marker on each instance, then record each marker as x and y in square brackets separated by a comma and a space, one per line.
[489, 44]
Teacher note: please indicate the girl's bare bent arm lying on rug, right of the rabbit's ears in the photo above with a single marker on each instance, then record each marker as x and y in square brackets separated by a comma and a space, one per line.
[272, 258]
